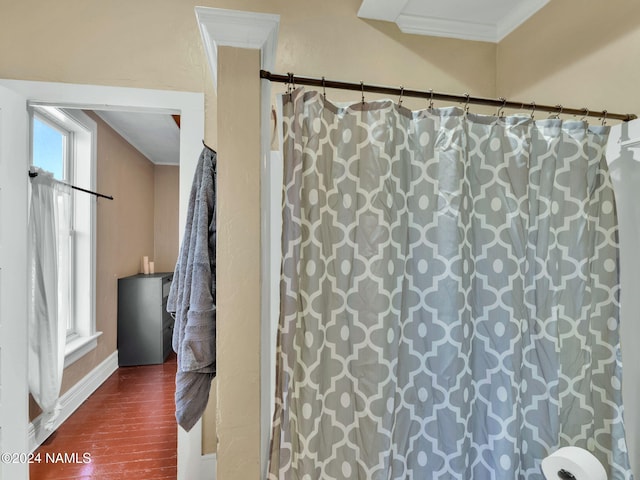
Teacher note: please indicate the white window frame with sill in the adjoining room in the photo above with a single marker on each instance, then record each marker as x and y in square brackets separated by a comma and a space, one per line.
[82, 337]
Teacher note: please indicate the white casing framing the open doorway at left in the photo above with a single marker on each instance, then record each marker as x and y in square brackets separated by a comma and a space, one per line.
[14, 153]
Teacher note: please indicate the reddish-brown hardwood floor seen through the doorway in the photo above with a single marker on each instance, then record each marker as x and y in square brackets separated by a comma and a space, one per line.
[126, 429]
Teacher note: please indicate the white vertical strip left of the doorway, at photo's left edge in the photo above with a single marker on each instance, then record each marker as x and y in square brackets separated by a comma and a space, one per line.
[14, 163]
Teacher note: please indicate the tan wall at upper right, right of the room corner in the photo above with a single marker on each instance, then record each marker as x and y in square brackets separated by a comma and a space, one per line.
[579, 53]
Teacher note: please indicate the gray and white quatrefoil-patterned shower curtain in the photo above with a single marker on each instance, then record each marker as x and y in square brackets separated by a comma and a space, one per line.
[449, 295]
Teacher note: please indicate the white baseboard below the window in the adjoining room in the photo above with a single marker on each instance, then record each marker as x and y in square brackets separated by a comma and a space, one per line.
[73, 398]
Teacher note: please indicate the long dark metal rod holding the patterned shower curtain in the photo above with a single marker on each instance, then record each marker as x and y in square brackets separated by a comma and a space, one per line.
[502, 103]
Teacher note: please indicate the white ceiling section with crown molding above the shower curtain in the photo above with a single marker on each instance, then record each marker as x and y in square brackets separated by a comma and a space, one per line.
[483, 20]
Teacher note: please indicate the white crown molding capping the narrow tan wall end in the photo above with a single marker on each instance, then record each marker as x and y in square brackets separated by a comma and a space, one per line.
[234, 28]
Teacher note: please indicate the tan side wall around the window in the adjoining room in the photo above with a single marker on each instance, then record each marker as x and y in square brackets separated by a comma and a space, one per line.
[125, 233]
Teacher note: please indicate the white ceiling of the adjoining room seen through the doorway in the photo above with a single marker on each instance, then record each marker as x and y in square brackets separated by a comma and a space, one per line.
[154, 135]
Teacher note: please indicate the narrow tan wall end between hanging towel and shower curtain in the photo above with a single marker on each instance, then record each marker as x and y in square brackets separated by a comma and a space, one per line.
[238, 263]
